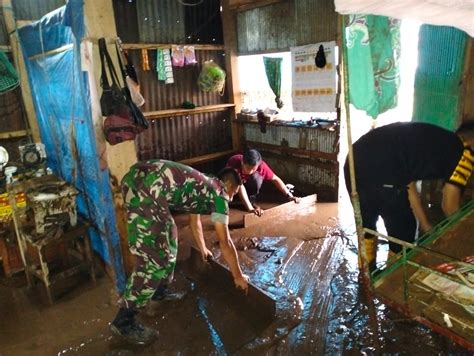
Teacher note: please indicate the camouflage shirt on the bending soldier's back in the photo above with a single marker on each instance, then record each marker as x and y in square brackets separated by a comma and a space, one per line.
[184, 188]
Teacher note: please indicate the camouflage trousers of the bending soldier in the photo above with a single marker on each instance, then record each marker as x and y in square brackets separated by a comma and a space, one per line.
[152, 238]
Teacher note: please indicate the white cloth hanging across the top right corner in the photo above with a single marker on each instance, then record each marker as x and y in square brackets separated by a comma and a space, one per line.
[456, 13]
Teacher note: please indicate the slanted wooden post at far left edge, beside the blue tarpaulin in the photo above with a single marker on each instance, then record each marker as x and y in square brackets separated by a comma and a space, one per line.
[19, 61]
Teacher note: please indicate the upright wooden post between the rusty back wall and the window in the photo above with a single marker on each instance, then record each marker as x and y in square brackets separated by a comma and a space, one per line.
[233, 89]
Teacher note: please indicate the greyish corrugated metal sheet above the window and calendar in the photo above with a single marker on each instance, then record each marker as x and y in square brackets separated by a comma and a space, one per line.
[281, 26]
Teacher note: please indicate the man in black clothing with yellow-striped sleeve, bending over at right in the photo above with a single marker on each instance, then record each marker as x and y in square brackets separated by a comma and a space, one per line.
[388, 162]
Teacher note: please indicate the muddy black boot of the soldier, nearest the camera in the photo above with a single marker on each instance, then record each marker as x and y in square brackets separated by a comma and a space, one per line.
[125, 326]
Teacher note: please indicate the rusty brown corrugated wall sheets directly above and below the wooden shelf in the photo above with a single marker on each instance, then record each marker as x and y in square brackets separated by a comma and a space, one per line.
[178, 138]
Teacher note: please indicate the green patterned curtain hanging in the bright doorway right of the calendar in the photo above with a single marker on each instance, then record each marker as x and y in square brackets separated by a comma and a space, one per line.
[373, 52]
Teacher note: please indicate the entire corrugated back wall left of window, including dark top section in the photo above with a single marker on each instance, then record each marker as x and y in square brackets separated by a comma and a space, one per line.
[167, 21]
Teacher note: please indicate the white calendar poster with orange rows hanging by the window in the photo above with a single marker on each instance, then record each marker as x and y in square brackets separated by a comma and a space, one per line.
[314, 77]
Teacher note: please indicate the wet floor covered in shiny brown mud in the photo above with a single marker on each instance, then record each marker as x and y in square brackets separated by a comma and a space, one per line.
[306, 260]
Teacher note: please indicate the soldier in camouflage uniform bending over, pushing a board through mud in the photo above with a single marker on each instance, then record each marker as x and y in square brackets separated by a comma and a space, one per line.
[150, 190]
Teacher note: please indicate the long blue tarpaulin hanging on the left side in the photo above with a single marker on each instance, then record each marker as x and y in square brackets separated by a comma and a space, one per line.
[60, 92]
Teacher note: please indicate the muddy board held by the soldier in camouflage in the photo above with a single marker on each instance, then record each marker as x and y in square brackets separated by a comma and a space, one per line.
[256, 300]
